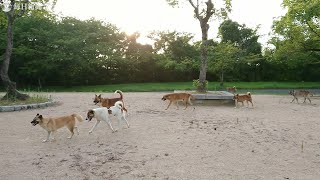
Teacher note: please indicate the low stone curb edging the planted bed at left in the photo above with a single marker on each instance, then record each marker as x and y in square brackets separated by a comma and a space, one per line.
[26, 106]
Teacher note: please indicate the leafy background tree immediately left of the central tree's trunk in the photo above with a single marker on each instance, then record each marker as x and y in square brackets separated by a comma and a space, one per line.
[176, 53]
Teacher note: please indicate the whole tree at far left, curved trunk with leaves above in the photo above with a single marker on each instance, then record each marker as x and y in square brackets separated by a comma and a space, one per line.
[12, 13]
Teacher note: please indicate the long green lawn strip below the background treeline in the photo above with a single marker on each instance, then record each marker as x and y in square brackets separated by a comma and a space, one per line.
[170, 86]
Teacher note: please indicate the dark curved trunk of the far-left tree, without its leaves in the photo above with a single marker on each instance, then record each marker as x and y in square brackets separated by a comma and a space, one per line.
[10, 86]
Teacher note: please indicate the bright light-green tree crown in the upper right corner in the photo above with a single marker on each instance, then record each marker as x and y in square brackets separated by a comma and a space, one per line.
[297, 34]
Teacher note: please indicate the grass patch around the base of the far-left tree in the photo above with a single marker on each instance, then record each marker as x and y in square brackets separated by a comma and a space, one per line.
[33, 99]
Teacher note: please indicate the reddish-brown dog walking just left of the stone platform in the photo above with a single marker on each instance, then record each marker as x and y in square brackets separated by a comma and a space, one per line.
[176, 97]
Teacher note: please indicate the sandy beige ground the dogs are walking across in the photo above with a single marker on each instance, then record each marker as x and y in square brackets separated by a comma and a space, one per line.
[274, 140]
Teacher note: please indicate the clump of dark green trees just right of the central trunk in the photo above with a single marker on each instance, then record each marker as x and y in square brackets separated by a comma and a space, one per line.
[238, 53]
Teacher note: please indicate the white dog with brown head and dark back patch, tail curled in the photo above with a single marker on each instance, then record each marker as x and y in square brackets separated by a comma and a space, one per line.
[103, 113]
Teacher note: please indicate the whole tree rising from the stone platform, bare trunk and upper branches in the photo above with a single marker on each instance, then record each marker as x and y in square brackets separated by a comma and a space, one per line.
[203, 11]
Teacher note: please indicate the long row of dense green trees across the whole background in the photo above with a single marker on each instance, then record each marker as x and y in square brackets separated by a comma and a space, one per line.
[65, 51]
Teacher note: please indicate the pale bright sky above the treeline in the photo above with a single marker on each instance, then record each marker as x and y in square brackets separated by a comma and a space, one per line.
[145, 16]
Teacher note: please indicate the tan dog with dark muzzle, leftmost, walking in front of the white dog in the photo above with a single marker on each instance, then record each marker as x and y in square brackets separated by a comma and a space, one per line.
[53, 124]
